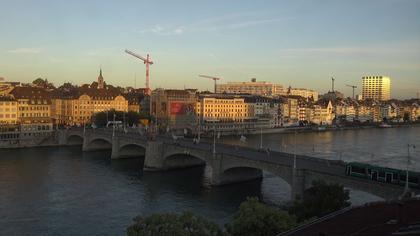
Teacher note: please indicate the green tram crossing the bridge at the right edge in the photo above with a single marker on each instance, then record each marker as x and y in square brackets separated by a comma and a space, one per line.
[383, 174]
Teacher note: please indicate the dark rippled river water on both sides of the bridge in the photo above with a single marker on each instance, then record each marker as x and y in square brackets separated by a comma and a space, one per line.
[63, 191]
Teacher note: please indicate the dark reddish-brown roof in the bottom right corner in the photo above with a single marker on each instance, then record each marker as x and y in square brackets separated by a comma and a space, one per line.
[374, 219]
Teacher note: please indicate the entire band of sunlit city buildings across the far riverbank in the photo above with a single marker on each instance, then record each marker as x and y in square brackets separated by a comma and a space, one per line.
[234, 108]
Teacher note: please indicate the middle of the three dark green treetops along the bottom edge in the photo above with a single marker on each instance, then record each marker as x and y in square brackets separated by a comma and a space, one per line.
[257, 219]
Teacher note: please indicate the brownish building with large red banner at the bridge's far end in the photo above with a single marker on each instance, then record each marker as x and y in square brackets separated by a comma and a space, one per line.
[174, 108]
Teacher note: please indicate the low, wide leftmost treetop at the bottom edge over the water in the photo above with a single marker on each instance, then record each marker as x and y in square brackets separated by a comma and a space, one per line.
[185, 224]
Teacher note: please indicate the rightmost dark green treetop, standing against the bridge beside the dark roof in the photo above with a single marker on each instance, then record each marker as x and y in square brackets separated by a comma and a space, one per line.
[319, 200]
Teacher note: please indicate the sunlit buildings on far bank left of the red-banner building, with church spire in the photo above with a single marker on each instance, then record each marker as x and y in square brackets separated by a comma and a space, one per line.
[66, 105]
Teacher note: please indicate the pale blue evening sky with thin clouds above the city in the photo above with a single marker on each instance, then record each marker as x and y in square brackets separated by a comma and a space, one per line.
[298, 43]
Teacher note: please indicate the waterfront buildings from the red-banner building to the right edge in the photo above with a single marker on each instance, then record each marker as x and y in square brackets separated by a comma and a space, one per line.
[188, 109]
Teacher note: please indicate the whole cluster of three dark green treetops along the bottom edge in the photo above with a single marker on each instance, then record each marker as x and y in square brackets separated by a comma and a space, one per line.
[253, 218]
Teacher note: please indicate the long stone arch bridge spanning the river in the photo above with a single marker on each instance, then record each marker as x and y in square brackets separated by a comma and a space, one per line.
[230, 164]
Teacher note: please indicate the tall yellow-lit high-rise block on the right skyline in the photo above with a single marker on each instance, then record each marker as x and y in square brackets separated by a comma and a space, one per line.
[376, 87]
